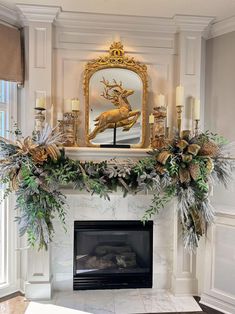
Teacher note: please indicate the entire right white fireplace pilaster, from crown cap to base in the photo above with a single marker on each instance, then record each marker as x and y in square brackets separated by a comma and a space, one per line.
[190, 74]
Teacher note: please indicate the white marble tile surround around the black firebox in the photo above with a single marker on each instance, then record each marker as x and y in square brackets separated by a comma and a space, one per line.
[82, 206]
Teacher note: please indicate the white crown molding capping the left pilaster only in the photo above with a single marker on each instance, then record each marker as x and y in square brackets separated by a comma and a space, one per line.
[36, 13]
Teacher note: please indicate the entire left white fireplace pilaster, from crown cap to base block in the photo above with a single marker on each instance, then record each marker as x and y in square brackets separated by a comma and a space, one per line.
[38, 37]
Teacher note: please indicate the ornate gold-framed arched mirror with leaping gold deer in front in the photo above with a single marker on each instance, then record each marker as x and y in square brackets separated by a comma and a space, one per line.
[115, 89]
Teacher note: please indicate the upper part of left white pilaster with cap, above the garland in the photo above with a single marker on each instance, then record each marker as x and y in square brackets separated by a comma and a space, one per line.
[38, 34]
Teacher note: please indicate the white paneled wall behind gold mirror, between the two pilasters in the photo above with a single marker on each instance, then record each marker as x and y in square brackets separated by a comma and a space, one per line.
[73, 50]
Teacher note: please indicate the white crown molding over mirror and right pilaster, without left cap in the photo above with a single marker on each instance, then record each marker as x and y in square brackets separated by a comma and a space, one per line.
[134, 23]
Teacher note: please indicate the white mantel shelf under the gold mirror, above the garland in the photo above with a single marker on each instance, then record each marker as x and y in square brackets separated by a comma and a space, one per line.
[98, 154]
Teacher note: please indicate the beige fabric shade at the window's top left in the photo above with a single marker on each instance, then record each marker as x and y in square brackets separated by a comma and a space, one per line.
[11, 65]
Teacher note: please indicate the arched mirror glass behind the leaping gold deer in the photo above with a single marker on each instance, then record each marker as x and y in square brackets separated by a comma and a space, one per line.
[131, 93]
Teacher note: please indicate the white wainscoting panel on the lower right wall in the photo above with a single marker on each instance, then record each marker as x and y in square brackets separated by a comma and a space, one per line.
[219, 285]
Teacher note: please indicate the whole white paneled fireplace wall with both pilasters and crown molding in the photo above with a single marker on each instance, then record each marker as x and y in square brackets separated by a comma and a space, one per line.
[59, 44]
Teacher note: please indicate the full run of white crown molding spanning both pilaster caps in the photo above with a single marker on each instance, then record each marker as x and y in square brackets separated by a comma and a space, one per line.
[91, 21]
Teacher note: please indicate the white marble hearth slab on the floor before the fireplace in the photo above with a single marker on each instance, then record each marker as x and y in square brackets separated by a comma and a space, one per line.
[124, 301]
